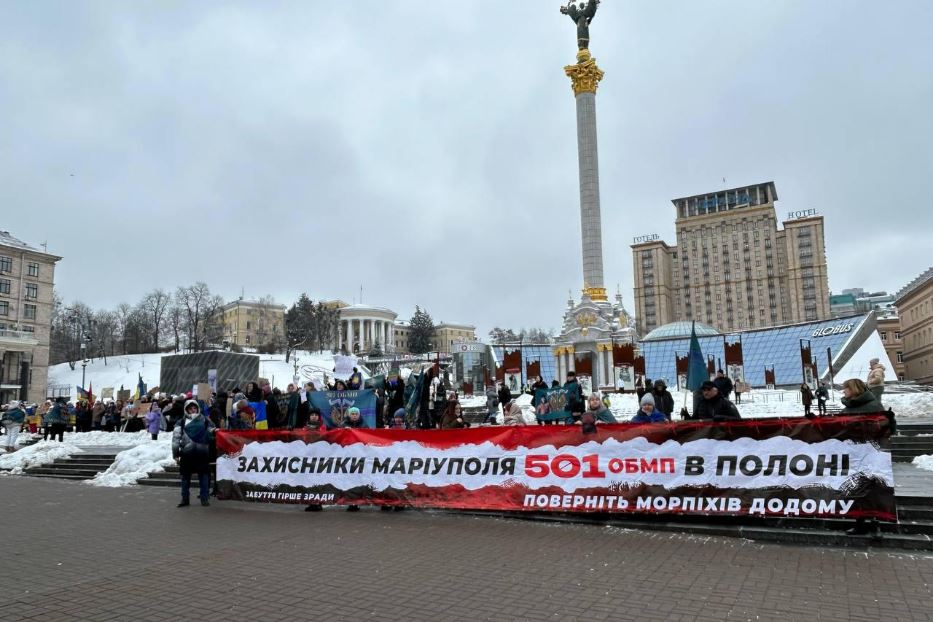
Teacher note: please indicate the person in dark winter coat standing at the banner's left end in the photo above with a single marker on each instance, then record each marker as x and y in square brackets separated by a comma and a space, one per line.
[191, 440]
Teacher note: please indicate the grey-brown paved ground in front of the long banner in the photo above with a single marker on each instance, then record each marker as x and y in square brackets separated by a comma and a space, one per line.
[77, 552]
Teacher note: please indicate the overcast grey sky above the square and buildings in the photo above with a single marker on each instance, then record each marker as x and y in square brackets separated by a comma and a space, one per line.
[426, 151]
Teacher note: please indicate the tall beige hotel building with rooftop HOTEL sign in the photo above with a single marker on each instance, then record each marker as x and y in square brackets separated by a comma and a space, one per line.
[732, 268]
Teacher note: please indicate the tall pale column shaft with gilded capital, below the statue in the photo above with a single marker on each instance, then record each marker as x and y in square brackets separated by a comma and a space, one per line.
[585, 77]
